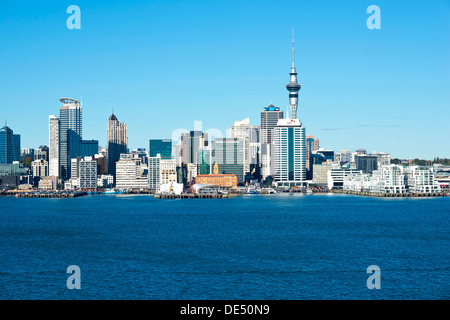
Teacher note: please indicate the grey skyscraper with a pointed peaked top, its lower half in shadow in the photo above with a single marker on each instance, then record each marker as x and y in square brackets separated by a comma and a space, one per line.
[117, 142]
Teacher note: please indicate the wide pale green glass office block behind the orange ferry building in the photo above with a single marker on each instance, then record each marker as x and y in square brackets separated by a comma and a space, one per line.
[228, 154]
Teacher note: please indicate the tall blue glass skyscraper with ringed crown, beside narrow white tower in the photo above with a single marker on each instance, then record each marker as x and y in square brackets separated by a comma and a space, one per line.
[70, 134]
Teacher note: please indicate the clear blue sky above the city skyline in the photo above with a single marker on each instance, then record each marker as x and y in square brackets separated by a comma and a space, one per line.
[164, 64]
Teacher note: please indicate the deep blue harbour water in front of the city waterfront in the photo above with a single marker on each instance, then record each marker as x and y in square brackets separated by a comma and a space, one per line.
[285, 246]
